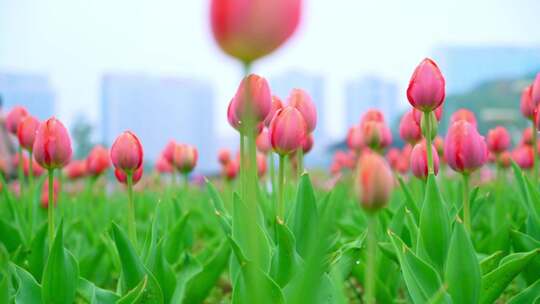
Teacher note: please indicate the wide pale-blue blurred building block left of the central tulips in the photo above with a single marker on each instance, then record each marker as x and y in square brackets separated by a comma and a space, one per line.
[158, 109]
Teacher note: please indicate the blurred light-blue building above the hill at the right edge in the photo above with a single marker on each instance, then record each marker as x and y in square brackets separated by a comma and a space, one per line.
[467, 67]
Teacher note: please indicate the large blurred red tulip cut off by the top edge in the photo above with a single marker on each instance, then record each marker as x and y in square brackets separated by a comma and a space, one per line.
[248, 30]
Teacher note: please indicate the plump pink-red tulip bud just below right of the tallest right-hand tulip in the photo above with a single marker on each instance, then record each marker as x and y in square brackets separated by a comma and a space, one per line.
[465, 149]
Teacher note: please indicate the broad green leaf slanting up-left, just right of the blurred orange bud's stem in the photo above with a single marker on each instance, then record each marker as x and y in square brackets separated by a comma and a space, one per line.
[421, 279]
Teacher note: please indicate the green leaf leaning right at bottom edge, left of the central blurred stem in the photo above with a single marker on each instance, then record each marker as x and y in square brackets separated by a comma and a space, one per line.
[199, 287]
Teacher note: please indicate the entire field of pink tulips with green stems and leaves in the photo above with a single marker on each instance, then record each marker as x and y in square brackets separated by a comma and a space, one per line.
[449, 217]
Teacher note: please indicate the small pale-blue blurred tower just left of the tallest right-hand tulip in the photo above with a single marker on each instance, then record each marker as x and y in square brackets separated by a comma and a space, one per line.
[371, 92]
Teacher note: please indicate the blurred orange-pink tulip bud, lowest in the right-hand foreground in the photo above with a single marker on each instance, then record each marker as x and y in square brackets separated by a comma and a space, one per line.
[375, 182]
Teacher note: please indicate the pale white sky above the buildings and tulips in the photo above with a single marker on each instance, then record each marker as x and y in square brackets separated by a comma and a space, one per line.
[76, 41]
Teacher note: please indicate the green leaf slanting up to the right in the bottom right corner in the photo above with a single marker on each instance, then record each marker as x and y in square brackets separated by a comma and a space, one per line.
[495, 282]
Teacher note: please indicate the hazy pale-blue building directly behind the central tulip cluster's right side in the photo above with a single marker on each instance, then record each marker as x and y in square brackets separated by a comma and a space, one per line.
[282, 84]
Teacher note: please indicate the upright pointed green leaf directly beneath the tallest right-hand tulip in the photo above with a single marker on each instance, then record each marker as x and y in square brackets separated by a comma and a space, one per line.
[434, 225]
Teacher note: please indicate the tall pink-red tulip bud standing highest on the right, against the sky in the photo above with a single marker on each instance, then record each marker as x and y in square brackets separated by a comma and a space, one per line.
[426, 89]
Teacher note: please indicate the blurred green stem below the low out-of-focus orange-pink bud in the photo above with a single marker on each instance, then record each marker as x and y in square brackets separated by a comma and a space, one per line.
[370, 279]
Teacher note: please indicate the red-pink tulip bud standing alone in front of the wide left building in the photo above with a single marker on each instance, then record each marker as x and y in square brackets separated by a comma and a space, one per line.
[127, 152]
